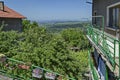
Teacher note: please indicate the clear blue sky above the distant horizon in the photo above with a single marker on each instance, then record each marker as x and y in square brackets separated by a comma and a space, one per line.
[51, 9]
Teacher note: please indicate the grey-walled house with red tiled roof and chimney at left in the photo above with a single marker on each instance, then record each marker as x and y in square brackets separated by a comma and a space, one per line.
[10, 18]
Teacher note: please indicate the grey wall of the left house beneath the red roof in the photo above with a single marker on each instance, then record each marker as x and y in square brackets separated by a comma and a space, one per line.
[11, 24]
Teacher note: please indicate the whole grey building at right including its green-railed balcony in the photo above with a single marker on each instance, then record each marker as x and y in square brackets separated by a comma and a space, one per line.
[104, 36]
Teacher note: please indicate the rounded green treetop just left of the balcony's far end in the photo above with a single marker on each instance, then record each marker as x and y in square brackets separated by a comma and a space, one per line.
[74, 37]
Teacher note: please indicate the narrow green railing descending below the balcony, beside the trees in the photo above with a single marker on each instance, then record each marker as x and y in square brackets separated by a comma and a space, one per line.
[94, 73]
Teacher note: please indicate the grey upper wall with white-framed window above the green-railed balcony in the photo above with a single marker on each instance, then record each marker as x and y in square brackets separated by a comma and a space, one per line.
[110, 9]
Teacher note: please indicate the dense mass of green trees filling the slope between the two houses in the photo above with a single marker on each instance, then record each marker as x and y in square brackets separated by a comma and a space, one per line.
[64, 52]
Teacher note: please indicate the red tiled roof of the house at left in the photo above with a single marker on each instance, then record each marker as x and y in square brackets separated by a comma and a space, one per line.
[9, 13]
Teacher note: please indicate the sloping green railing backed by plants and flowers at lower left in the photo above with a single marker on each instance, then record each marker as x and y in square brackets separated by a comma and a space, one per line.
[21, 71]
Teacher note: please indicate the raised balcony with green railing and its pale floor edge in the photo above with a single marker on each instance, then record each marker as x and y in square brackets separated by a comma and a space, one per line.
[107, 46]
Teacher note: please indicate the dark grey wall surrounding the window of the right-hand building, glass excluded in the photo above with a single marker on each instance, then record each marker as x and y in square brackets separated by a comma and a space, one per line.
[100, 7]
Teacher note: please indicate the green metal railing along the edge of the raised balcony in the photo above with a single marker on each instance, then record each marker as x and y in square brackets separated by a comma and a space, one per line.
[109, 46]
